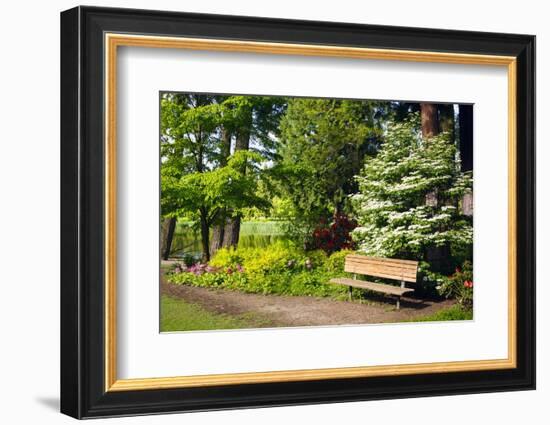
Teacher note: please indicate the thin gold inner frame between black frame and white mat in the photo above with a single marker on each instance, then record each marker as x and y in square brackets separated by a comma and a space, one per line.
[113, 41]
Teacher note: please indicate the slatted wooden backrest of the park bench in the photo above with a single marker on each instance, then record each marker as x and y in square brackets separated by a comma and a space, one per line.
[389, 268]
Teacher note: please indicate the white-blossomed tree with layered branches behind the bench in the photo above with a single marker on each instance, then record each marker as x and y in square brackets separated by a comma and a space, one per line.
[395, 219]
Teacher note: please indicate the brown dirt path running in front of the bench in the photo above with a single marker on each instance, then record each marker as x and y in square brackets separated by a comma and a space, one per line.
[301, 311]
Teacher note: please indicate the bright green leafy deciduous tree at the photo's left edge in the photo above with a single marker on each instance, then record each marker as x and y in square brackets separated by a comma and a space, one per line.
[200, 177]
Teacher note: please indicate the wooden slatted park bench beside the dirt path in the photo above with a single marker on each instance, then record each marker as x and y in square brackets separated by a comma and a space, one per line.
[387, 268]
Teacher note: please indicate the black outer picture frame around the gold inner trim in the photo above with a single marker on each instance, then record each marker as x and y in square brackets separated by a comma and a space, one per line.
[83, 392]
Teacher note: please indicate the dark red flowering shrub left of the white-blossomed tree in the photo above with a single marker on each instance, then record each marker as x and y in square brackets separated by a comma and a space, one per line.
[334, 237]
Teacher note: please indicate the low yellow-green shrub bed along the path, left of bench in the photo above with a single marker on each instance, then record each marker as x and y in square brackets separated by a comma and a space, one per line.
[283, 269]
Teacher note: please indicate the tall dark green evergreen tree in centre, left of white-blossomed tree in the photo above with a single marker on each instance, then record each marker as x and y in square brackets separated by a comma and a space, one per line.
[323, 145]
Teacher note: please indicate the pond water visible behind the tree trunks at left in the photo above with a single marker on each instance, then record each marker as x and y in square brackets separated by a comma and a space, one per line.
[254, 234]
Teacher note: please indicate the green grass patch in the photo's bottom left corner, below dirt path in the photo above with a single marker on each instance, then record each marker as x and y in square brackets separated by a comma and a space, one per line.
[178, 315]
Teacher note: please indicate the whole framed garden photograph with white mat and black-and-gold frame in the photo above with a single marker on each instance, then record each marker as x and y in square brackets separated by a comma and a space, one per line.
[261, 212]
